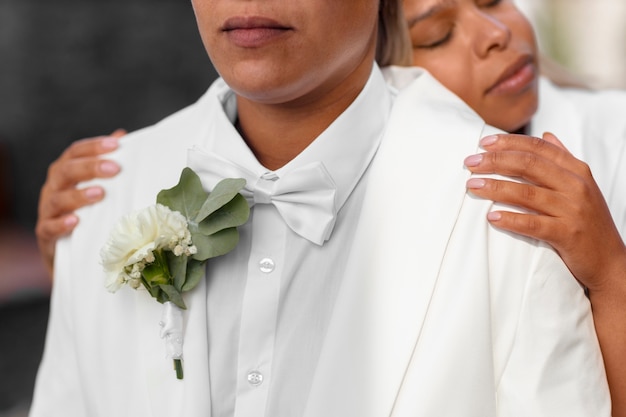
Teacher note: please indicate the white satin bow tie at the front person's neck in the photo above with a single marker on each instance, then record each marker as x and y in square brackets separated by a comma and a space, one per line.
[304, 197]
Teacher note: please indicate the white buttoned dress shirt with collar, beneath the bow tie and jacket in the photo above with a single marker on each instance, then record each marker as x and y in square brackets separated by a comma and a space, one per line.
[270, 300]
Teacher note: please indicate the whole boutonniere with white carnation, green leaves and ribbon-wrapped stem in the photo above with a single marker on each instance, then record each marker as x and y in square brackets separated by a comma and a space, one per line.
[163, 248]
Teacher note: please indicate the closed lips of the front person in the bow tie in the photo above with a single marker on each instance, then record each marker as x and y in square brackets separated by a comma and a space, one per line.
[253, 31]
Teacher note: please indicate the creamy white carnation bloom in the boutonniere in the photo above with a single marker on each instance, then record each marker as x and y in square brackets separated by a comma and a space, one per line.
[134, 238]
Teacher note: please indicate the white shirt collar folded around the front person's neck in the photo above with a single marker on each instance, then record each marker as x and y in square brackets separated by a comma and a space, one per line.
[345, 148]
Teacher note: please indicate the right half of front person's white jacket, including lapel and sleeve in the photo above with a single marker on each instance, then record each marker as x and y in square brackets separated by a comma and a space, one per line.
[480, 322]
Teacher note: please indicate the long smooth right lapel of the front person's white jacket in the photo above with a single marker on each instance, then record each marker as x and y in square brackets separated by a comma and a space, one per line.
[415, 192]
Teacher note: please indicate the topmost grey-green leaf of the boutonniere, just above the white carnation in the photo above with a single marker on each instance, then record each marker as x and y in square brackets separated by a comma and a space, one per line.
[186, 197]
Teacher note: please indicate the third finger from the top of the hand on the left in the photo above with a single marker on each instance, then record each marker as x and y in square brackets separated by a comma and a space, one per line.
[61, 203]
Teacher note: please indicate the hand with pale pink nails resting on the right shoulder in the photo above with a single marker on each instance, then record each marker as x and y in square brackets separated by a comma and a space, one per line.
[567, 208]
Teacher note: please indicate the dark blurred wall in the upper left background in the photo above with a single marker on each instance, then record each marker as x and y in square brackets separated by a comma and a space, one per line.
[78, 68]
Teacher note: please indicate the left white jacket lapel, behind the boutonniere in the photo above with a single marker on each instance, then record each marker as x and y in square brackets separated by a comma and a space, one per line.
[191, 395]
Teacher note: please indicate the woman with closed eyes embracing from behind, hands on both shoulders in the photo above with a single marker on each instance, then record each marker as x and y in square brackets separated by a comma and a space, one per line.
[565, 196]
